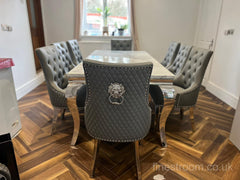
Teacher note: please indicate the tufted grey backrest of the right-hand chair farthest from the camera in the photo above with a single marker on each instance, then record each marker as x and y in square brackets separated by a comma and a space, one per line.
[171, 54]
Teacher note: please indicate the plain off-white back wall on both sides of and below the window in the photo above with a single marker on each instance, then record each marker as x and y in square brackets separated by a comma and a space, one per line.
[159, 22]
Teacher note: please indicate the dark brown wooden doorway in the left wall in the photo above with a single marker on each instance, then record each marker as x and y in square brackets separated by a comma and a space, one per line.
[36, 26]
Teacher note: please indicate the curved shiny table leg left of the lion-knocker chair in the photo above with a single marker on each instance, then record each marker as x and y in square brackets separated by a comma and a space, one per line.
[70, 94]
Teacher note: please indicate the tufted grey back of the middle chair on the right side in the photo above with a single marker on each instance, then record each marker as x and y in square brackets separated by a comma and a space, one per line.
[180, 60]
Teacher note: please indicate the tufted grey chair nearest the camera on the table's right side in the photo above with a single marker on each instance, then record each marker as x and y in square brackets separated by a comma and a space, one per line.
[187, 83]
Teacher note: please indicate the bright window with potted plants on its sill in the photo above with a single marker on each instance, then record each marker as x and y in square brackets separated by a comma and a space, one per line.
[98, 14]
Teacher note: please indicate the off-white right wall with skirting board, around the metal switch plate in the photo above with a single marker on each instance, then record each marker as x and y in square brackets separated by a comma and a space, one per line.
[224, 80]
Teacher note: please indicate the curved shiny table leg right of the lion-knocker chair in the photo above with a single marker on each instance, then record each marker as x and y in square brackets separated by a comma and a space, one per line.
[167, 108]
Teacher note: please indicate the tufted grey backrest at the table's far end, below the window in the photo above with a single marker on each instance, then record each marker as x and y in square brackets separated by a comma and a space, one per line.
[121, 44]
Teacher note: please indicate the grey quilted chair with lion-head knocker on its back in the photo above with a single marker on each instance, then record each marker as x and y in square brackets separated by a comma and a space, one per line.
[117, 103]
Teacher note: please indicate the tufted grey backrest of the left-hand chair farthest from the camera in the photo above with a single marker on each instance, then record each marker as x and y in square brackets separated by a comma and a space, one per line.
[74, 51]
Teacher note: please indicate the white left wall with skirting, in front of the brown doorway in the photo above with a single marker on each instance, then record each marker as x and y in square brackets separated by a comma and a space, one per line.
[18, 45]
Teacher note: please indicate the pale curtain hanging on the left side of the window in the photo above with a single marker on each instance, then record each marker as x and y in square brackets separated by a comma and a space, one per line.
[78, 18]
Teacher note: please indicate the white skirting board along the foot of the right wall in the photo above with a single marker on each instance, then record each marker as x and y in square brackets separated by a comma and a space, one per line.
[221, 93]
